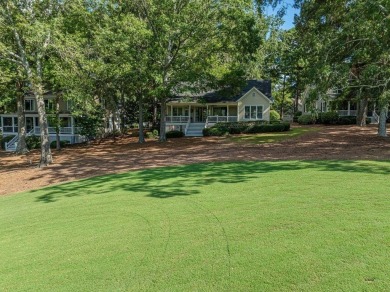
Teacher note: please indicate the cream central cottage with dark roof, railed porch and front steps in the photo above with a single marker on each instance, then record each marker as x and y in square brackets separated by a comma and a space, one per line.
[191, 114]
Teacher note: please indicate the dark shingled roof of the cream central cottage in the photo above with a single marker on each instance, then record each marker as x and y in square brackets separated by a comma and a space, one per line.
[228, 95]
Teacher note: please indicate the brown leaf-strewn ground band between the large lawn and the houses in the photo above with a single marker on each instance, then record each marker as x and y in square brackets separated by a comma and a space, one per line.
[20, 173]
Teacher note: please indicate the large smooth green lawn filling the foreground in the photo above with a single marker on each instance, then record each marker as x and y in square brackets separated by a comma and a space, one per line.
[259, 226]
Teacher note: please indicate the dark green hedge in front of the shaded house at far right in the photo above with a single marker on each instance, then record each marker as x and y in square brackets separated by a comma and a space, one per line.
[328, 118]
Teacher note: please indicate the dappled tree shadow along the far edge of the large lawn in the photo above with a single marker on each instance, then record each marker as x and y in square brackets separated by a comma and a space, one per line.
[167, 182]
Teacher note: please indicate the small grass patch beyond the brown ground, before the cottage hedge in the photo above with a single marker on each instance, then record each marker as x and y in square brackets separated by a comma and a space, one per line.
[271, 137]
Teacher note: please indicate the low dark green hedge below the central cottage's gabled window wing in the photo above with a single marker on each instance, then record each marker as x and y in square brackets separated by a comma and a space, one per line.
[221, 129]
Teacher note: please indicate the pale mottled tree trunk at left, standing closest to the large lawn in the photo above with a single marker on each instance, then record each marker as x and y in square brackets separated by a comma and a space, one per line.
[46, 157]
